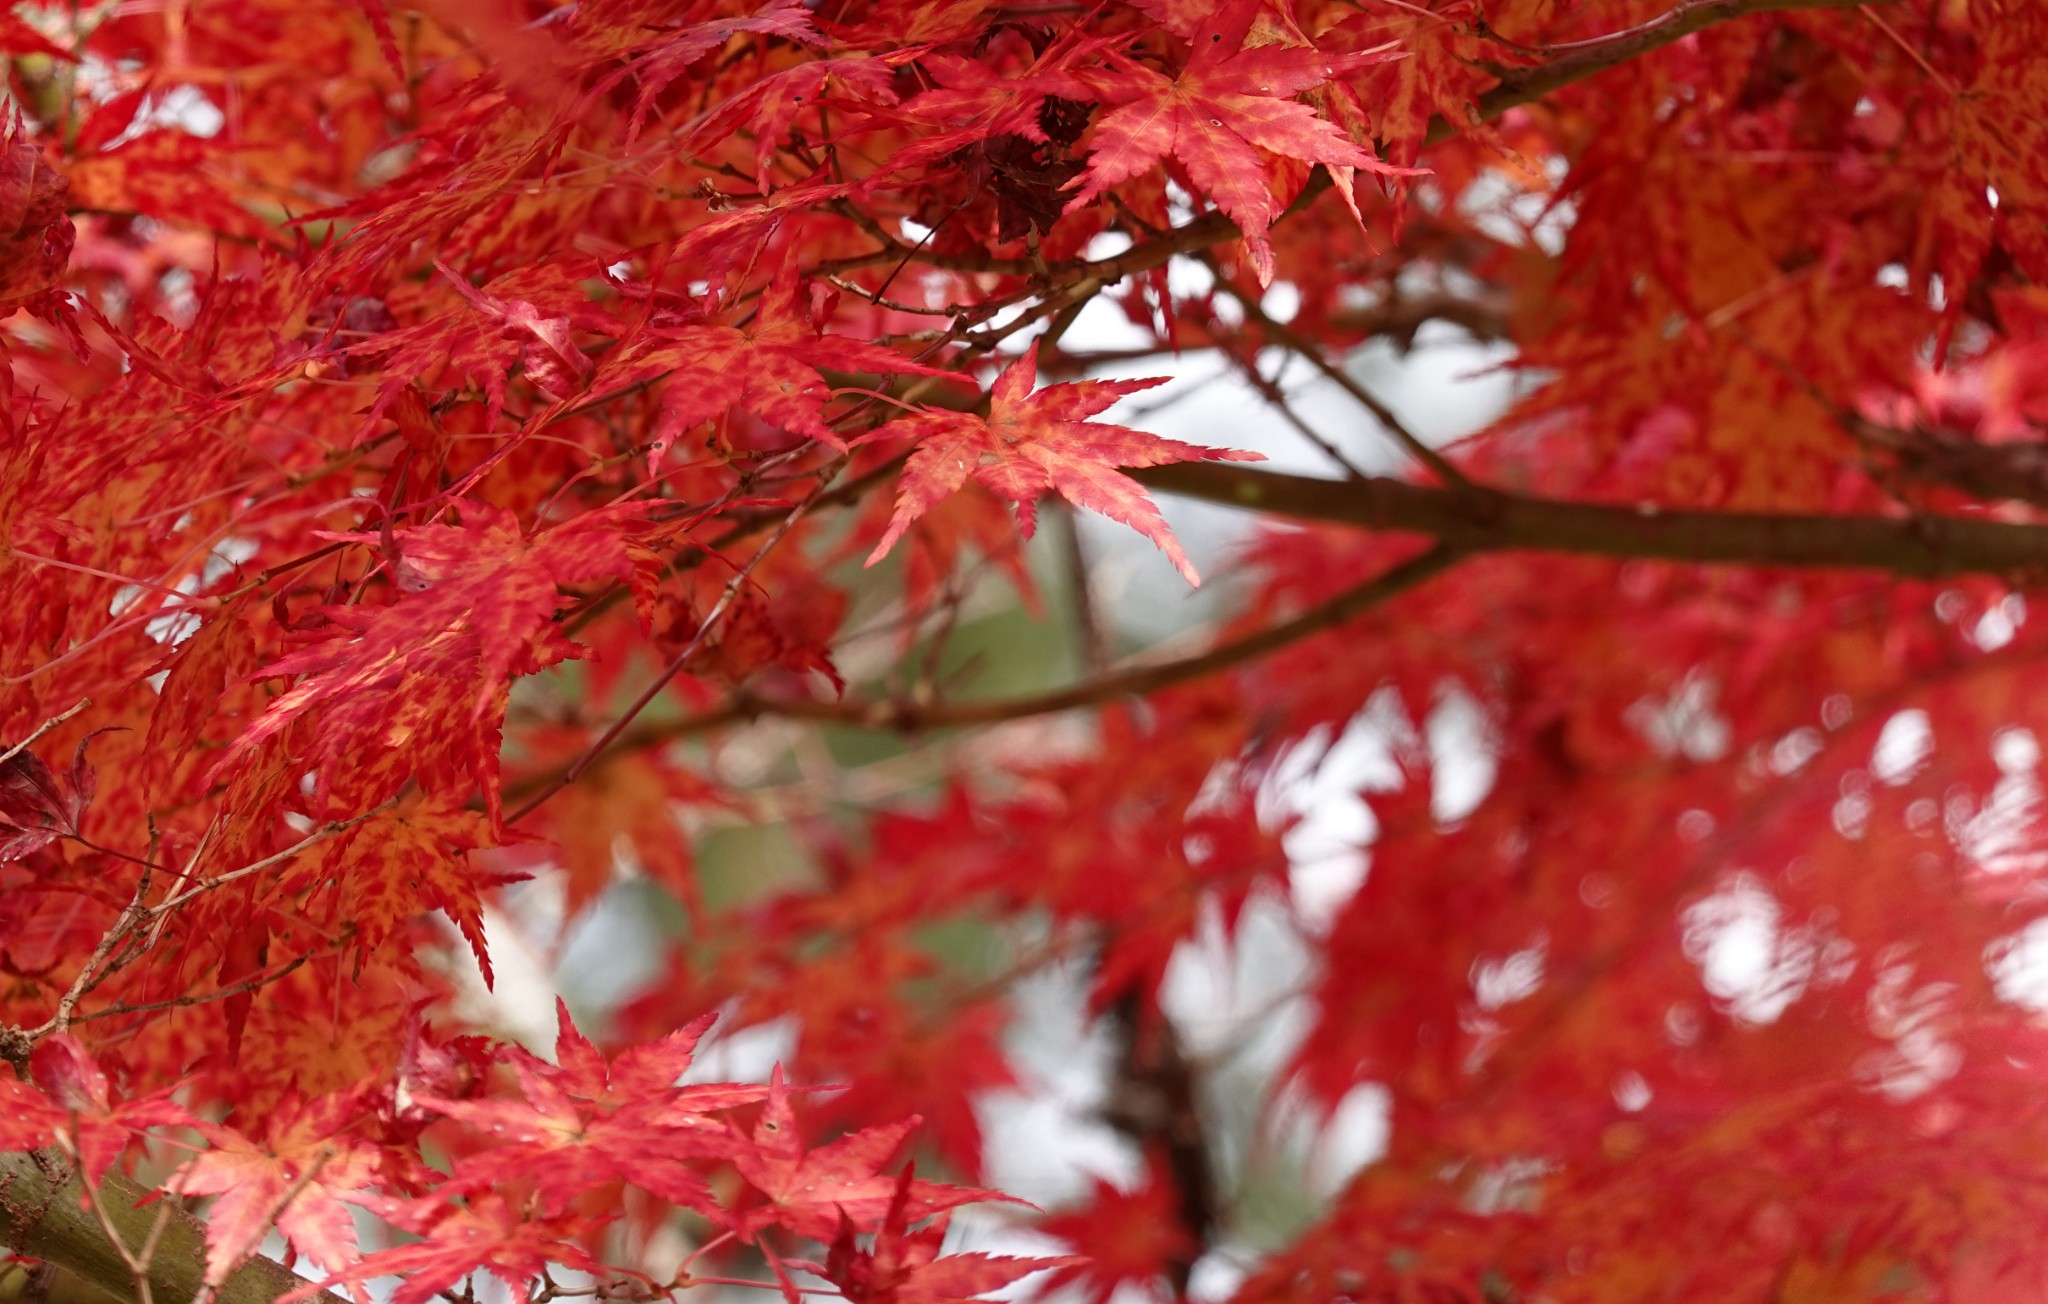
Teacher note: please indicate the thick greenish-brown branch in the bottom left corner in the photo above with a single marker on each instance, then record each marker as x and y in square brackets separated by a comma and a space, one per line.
[44, 1217]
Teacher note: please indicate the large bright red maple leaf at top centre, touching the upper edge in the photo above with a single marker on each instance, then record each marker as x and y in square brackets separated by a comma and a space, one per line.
[1226, 105]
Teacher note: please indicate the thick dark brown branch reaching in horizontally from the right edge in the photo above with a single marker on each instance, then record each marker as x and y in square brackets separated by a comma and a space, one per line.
[1490, 521]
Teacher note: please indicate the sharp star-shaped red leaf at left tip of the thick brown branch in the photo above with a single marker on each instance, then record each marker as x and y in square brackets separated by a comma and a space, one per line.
[1039, 441]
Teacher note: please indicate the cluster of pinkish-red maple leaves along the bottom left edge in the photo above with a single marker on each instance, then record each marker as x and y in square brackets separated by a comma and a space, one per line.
[536, 1178]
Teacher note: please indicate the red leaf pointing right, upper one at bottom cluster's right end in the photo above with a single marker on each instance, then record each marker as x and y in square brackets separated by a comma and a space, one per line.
[818, 1192]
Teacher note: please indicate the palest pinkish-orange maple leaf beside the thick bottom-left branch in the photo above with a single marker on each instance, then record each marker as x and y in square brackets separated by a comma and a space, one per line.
[294, 1180]
